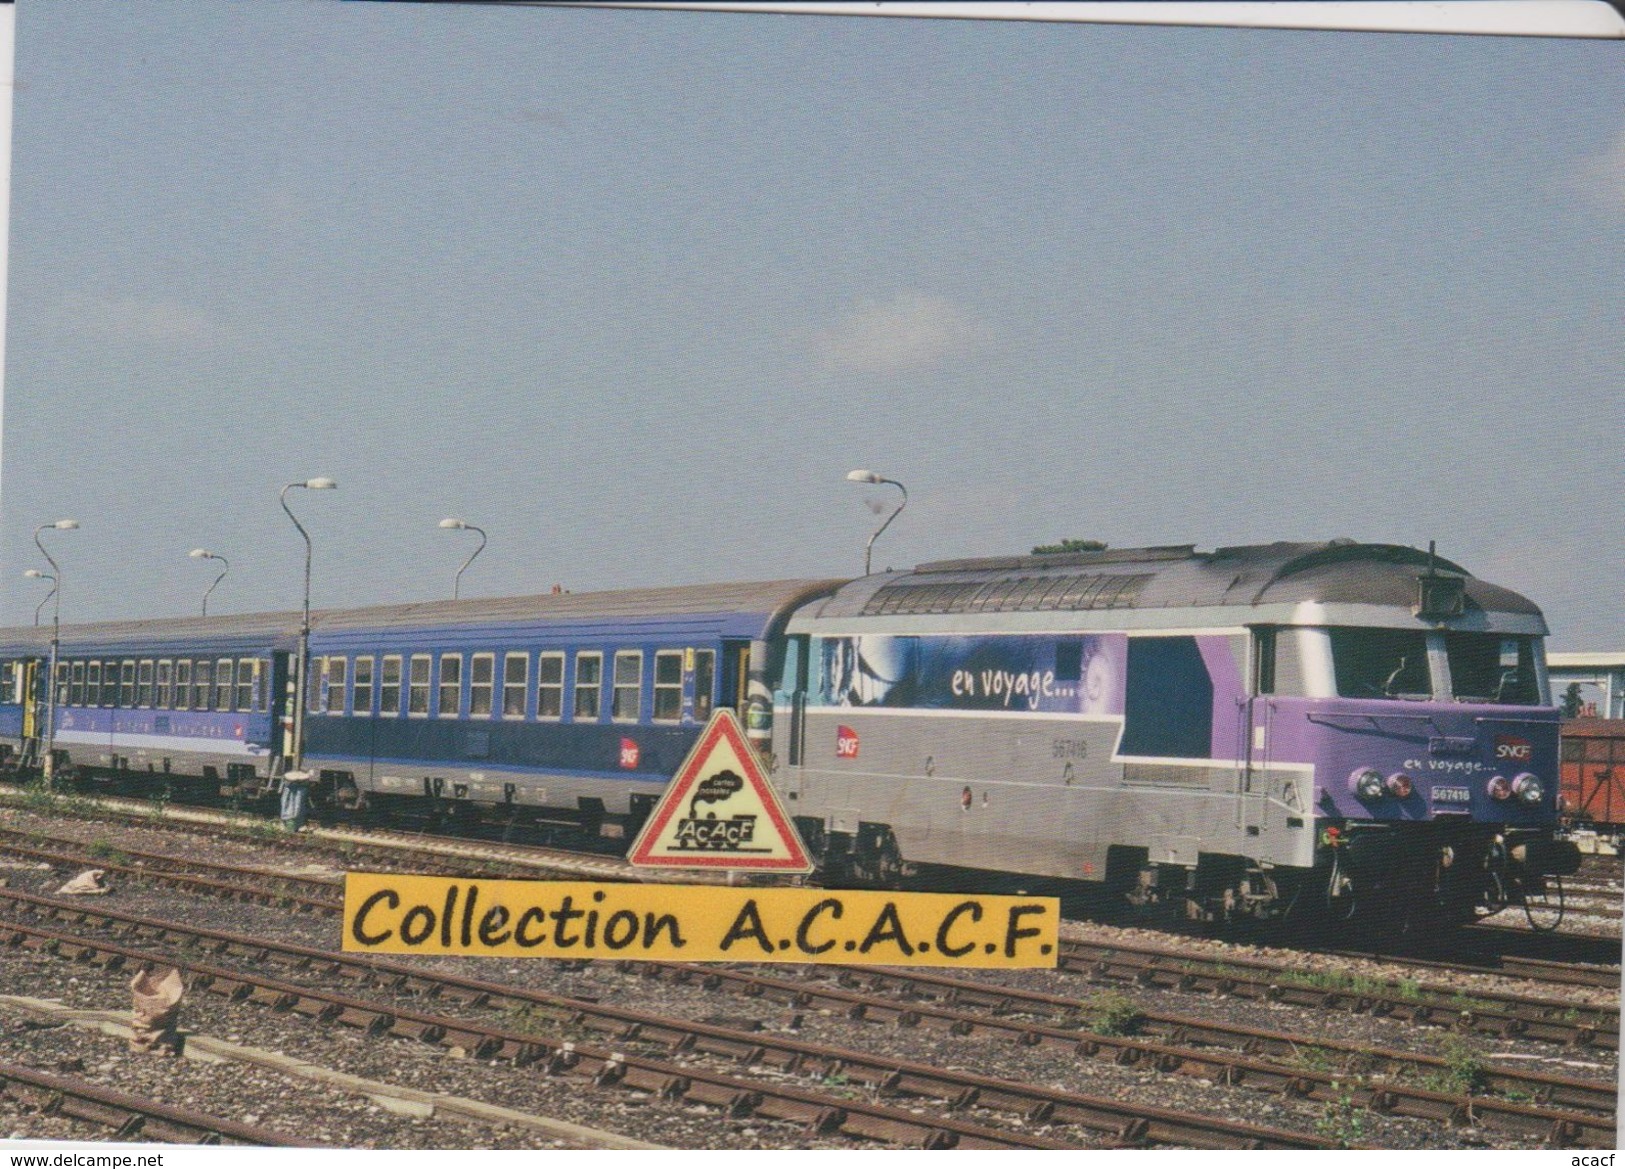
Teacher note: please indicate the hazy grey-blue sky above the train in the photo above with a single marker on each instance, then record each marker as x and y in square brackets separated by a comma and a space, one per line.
[635, 292]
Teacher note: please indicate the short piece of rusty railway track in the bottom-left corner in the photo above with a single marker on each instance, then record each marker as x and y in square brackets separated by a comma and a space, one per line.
[132, 1118]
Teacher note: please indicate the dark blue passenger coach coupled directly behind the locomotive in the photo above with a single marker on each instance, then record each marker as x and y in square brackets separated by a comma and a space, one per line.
[579, 705]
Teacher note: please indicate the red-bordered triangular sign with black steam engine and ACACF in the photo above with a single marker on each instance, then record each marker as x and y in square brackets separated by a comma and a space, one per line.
[721, 812]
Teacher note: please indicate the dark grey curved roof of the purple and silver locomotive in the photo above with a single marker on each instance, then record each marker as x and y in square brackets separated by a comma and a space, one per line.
[1254, 576]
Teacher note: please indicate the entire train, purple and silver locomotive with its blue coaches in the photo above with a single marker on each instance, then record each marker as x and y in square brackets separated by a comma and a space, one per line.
[1309, 729]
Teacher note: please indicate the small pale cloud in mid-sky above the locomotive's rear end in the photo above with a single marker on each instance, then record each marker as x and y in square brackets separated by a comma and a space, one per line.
[911, 331]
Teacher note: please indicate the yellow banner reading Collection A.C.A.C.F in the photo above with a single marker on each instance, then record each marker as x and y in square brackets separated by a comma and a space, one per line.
[386, 913]
